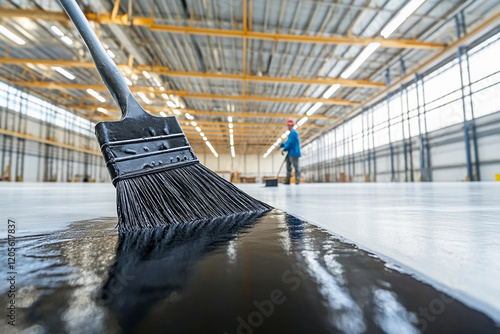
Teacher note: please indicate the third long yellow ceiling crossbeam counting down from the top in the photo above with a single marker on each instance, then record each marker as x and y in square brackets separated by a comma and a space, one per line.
[206, 96]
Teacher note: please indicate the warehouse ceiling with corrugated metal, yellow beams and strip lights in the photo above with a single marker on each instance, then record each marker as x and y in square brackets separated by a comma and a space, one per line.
[260, 62]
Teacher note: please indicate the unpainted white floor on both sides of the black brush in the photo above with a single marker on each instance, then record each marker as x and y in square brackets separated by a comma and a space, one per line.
[446, 234]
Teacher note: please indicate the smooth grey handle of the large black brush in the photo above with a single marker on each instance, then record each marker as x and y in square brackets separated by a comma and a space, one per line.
[109, 72]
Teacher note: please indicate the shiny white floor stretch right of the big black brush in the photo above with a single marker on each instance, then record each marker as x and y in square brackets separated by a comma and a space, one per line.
[447, 234]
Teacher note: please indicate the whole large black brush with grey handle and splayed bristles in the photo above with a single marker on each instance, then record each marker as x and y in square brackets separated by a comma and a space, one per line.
[158, 178]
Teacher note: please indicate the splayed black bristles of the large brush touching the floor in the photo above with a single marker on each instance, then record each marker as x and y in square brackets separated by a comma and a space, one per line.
[181, 195]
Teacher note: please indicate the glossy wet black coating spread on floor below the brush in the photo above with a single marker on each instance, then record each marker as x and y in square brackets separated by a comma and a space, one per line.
[267, 273]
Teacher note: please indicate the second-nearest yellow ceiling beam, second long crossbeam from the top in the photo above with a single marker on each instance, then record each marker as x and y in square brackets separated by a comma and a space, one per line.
[165, 71]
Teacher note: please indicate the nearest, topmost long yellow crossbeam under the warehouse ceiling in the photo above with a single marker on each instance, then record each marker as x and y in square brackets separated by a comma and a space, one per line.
[106, 18]
